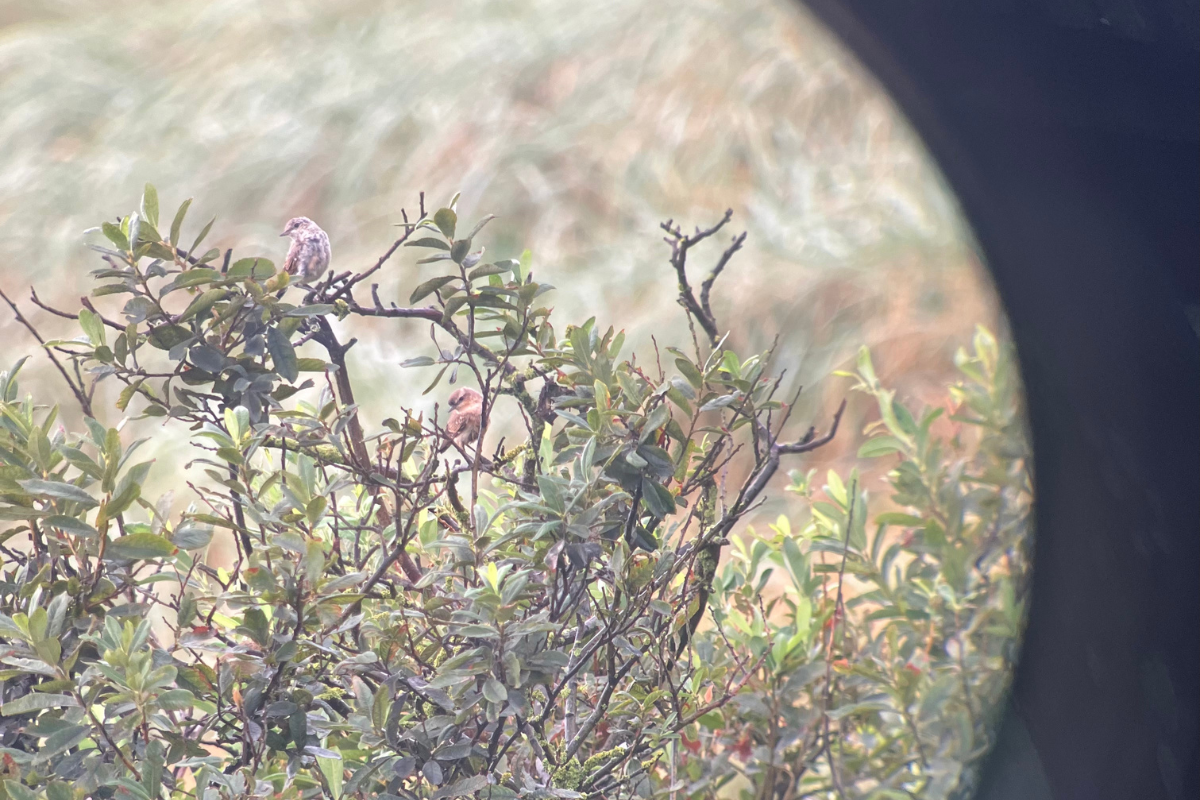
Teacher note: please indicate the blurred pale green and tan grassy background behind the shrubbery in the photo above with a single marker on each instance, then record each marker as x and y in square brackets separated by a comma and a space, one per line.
[583, 127]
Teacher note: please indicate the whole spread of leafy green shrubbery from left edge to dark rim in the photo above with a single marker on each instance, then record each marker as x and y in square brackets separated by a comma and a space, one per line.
[411, 617]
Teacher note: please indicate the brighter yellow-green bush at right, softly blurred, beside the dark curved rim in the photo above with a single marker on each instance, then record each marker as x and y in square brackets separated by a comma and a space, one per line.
[881, 665]
